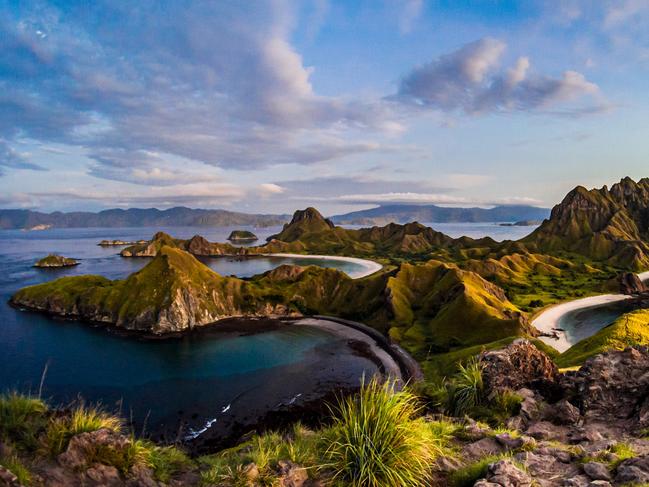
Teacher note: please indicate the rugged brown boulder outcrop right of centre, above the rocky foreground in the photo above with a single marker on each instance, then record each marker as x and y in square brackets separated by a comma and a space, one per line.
[519, 365]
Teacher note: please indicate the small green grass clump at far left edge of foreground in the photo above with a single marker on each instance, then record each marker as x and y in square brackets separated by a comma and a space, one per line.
[21, 419]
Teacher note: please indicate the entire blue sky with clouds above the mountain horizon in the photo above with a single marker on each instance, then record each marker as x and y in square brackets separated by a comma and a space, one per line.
[269, 106]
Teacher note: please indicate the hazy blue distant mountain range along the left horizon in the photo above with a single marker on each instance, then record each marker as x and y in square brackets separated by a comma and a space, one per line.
[135, 217]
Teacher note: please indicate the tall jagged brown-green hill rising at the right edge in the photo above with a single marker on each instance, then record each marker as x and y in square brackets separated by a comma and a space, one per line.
[601, 224]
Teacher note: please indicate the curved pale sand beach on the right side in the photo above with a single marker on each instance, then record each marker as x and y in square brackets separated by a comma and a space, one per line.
[547, 321]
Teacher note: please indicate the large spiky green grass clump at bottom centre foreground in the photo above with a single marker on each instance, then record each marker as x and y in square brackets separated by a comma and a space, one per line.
[377, 440]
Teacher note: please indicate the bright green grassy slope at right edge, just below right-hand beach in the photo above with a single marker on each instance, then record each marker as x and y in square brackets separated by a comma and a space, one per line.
[628, 330]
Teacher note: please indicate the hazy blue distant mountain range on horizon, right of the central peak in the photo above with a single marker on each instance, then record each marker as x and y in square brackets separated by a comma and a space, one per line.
[438, 214]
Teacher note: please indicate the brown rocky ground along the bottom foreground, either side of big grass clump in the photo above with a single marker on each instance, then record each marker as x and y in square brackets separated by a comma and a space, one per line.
[579, 428]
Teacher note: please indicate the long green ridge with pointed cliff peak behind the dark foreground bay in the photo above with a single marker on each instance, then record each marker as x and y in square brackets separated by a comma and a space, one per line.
[429, 305]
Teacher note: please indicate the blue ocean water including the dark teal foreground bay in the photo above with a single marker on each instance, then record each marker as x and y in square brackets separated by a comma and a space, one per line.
[204, 381]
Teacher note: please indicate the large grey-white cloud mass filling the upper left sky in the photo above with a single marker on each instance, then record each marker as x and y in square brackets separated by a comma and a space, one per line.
[218, 83]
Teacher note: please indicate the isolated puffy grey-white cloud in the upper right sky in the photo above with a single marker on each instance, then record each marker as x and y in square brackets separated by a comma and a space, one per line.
[470, 80]
